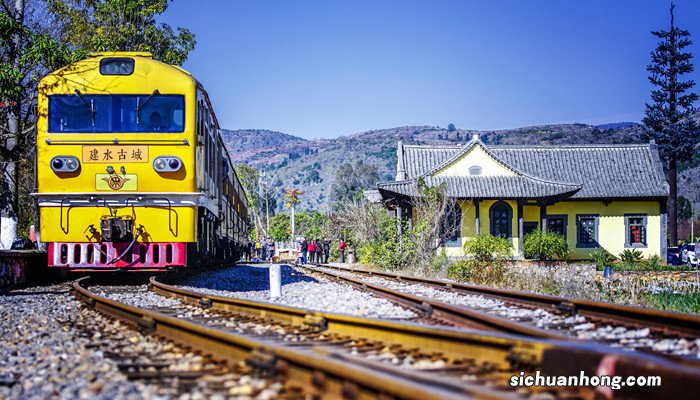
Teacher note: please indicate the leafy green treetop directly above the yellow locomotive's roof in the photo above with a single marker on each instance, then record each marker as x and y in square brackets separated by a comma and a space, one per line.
[122, 25]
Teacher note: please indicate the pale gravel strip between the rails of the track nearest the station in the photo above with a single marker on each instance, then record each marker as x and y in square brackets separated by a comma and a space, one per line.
[575, 326]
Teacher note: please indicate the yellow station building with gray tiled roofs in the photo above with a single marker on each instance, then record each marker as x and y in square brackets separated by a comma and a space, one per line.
[611, 196]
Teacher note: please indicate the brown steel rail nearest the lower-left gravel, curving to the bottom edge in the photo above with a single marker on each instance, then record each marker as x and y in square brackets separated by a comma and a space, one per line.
[321, 375]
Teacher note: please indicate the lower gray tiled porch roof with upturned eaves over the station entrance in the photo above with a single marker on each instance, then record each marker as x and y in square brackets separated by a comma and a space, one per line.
[486, 187]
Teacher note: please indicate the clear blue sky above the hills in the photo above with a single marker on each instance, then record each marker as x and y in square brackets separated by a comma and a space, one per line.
[326, 68]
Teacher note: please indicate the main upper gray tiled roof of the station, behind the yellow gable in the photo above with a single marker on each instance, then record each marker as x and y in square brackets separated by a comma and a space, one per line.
[602, 171]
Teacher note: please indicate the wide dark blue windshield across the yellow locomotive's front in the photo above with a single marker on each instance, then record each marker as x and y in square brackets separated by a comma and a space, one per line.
[77, 113]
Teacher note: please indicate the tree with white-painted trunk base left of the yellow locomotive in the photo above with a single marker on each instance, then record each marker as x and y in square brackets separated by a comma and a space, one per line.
[27, 52]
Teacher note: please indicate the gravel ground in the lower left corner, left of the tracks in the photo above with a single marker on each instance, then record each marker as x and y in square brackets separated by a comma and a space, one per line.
[43, 356]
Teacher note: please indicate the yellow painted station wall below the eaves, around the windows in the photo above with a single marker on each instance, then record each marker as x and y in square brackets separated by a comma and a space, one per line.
[611, 224]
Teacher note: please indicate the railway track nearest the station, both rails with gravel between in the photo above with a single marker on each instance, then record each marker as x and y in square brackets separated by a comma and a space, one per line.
[623, 326]
